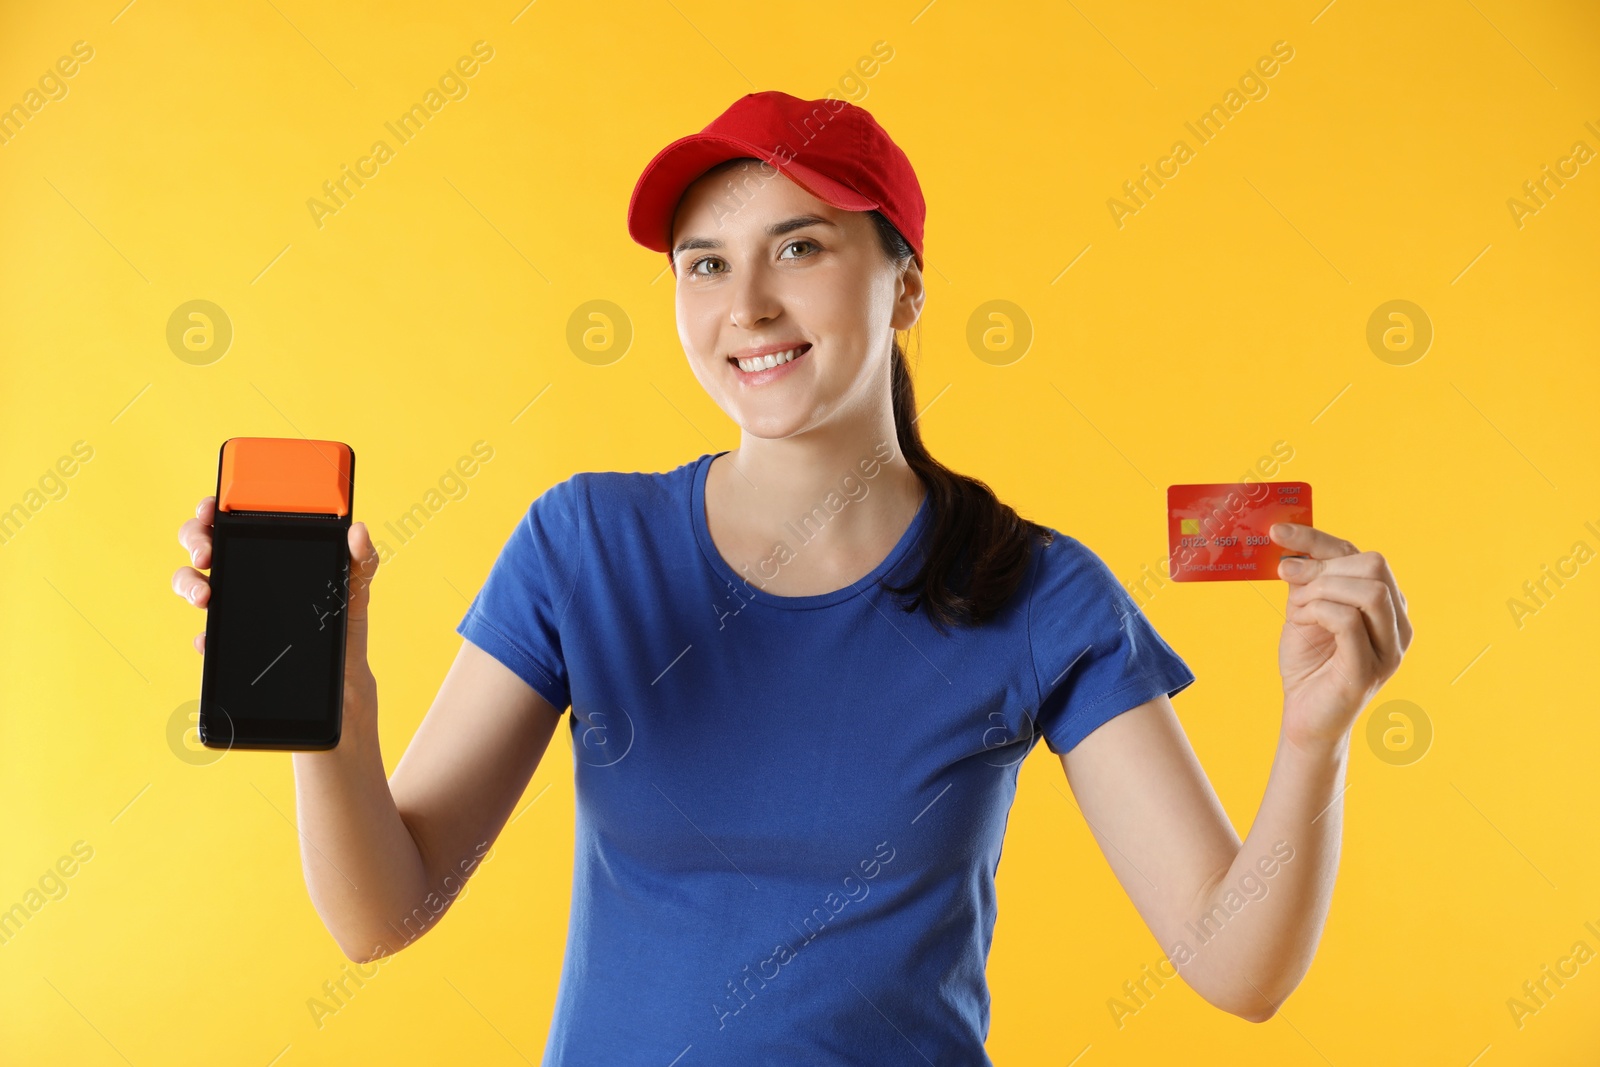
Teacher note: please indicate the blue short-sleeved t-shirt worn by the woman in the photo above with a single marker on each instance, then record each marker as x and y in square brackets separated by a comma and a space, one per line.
[790, 810]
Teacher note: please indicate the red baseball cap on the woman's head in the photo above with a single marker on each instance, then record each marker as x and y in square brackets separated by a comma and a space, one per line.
[833, 150]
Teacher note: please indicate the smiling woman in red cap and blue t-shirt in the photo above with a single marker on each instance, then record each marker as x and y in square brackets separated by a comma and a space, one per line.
[804, 676]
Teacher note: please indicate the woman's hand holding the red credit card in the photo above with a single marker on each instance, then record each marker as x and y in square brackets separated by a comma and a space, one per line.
[1345, 634]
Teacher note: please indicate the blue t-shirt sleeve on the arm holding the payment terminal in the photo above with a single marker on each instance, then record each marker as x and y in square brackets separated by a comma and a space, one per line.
[518, 615]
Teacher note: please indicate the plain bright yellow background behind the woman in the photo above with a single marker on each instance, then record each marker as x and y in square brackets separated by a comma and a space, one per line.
[1226, 316]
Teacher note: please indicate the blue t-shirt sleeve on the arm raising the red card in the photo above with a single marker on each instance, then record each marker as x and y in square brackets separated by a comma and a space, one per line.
[1095, 653]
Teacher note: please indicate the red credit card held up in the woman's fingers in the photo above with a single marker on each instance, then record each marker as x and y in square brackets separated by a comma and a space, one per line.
[1218, 533]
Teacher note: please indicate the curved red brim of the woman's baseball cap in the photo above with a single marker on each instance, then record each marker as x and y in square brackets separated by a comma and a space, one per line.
[676, 167]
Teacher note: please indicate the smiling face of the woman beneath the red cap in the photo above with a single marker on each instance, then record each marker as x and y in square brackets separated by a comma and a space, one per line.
[770, 266]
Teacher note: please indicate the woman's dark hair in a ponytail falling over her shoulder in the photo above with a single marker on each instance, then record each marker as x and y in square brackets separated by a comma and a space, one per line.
[978, 548]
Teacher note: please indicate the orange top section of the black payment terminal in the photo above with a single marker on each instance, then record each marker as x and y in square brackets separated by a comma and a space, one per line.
[279, 474]
